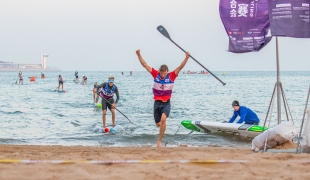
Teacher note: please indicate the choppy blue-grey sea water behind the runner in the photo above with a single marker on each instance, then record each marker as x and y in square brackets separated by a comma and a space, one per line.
[36, 114]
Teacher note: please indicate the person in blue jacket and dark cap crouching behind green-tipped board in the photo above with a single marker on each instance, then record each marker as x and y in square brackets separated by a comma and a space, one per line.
[246, 114]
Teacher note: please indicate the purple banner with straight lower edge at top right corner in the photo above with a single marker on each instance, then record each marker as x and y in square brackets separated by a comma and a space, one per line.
[289, 18]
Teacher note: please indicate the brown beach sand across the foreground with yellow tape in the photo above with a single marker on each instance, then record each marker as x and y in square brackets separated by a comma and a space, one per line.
[257, 166]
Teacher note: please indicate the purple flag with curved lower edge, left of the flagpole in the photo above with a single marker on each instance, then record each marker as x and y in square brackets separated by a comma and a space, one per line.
[246, 23]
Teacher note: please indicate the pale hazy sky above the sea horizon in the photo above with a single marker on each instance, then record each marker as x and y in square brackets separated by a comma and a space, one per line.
[103, 35]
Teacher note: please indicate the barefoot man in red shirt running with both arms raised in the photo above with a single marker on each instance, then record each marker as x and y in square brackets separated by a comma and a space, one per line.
[162, 90]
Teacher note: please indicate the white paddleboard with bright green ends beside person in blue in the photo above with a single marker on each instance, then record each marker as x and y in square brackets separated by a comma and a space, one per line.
[247, 130]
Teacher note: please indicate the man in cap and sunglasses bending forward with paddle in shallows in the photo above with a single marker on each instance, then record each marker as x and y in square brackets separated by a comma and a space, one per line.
[107, 92]
